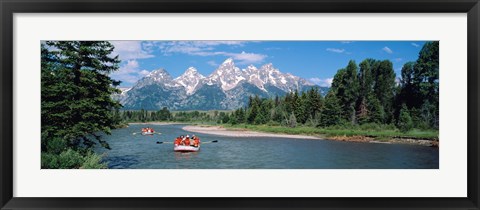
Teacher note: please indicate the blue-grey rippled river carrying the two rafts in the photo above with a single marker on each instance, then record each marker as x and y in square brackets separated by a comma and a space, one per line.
[142, 152]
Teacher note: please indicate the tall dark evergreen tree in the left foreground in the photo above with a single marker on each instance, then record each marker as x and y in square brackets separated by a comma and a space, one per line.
[76, 91]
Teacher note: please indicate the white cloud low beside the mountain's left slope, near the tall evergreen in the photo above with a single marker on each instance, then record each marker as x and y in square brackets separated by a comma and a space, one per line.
[129, 72]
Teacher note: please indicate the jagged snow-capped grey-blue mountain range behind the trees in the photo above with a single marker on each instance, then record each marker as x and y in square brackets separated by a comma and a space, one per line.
[228, 87]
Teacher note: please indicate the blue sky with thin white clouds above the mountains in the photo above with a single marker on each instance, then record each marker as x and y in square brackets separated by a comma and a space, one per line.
[316, 61]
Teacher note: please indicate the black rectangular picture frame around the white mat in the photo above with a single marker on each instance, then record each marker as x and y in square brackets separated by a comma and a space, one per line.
[10, 7]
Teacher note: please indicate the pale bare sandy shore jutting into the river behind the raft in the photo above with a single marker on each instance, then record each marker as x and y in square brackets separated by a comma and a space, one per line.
[220, 131]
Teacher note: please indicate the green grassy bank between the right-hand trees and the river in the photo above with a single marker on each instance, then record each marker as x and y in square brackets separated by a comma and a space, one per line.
[378, 132]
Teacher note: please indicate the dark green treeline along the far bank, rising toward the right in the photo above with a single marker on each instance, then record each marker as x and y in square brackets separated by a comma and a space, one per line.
[360, 94]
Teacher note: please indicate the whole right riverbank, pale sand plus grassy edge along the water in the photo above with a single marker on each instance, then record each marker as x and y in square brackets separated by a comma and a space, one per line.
[306, 133]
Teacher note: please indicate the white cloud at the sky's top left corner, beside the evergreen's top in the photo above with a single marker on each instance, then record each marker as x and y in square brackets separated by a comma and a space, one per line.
[128, 50]
